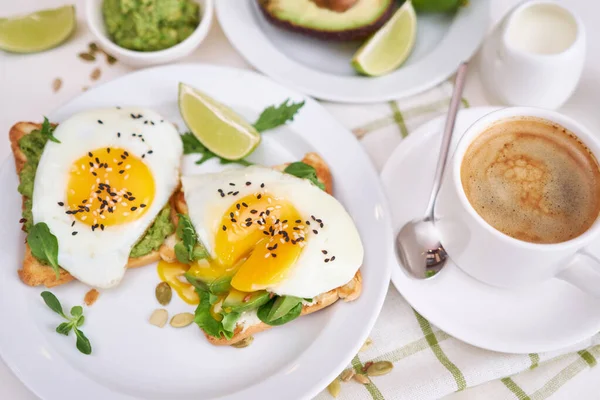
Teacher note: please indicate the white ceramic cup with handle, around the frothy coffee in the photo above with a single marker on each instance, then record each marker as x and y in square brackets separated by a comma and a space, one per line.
[496, 258]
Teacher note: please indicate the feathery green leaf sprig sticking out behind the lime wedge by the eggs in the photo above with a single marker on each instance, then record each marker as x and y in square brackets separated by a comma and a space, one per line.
[271, 117]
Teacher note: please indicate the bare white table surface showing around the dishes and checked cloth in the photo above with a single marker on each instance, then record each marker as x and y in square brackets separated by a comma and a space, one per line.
[26, 94]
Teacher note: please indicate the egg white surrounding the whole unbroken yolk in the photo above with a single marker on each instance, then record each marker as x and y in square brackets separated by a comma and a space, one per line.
[98, 258]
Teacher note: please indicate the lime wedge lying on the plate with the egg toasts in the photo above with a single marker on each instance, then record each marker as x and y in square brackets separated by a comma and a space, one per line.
[219, 128]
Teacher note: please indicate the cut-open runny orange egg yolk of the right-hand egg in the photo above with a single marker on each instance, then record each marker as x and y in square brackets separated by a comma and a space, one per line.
[261, 236]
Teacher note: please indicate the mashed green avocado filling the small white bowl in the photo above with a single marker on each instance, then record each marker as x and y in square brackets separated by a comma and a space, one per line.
[150, 25]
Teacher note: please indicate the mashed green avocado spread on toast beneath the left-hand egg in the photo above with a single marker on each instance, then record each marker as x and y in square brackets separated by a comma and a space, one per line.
[32, 145]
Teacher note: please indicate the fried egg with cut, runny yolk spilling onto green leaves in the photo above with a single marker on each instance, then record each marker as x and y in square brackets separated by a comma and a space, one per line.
[272, 231]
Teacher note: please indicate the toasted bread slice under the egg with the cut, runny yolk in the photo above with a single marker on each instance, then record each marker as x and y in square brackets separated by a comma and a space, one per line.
[348, 292]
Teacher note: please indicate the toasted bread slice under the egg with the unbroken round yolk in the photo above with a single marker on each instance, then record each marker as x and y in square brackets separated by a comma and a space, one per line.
[34, 273]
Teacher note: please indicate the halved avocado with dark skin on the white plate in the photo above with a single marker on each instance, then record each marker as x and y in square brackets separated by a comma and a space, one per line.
[341, 20]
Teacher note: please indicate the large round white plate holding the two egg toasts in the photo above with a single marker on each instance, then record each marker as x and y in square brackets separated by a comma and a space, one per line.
[132, 359]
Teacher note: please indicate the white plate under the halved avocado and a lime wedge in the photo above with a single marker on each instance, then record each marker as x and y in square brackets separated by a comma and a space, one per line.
[322, 69]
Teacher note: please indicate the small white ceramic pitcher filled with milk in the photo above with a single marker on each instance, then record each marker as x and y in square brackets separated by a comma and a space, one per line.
[535, 56]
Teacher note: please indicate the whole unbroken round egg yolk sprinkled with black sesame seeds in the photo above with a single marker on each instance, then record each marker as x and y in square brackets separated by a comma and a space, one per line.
[109, 186]
